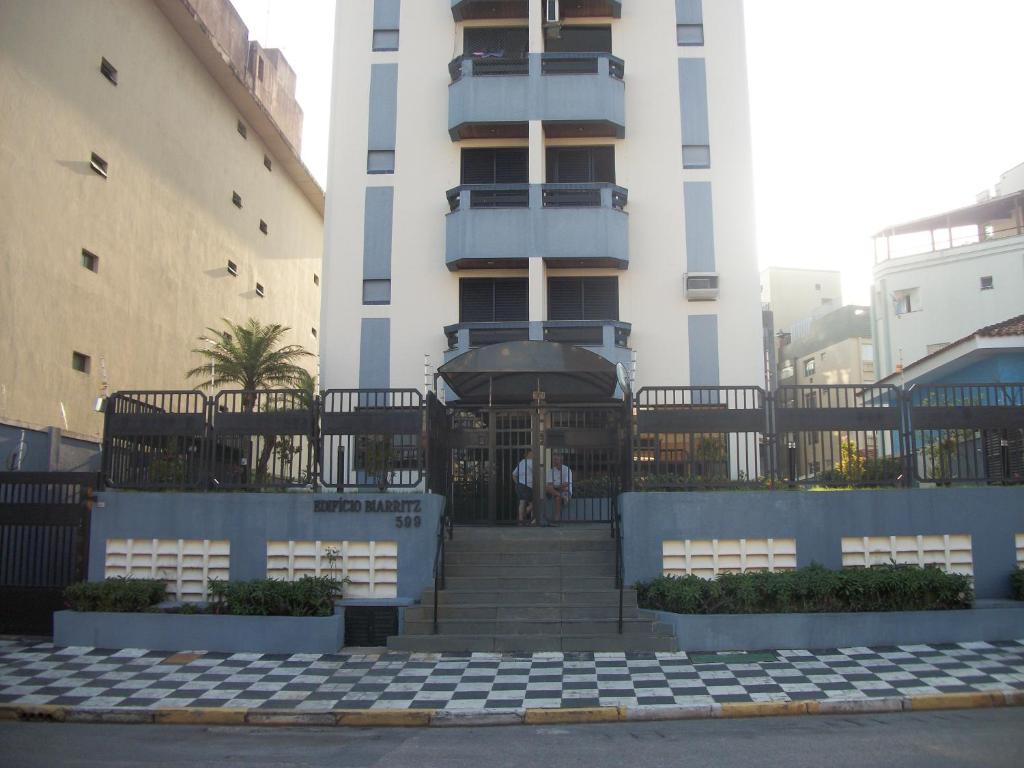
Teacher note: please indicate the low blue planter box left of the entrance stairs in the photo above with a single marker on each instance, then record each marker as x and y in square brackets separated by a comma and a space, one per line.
[201, 632]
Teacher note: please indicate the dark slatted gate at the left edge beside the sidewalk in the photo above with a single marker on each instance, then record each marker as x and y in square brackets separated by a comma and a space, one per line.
[45, 545]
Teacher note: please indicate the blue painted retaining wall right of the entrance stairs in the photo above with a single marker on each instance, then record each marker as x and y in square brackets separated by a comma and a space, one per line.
[819, 522]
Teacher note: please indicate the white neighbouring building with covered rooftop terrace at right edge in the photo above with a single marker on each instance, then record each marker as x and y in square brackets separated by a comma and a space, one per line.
[938, 279]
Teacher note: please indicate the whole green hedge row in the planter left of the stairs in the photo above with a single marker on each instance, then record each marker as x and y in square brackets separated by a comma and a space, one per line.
[310, 596]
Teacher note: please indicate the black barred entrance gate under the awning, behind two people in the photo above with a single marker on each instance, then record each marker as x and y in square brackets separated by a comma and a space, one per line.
[488, 444]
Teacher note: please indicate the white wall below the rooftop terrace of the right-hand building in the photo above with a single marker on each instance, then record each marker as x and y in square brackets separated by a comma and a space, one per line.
[951, 303]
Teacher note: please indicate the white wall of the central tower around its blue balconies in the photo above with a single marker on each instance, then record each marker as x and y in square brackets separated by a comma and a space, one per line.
[425, 294]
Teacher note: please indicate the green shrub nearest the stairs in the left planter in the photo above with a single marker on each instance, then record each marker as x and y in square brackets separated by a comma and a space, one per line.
[310, 596]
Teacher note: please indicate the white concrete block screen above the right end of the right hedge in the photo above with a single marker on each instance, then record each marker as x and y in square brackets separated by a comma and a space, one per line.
[952, 552]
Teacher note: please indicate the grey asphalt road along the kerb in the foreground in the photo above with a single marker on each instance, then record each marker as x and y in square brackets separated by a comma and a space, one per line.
[977, 738]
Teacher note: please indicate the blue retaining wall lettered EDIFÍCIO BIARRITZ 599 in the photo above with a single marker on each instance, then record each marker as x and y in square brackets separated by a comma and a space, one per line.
[249, 521]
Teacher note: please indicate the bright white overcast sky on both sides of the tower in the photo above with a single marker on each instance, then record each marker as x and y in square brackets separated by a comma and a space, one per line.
[864, 114]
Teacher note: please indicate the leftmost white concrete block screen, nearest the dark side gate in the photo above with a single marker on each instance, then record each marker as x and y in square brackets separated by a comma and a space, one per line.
[187, 565]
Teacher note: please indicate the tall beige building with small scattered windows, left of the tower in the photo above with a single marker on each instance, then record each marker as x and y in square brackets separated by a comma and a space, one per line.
[150, 186]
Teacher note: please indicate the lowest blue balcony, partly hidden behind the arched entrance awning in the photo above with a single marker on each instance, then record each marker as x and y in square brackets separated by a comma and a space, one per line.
[610, 339]
